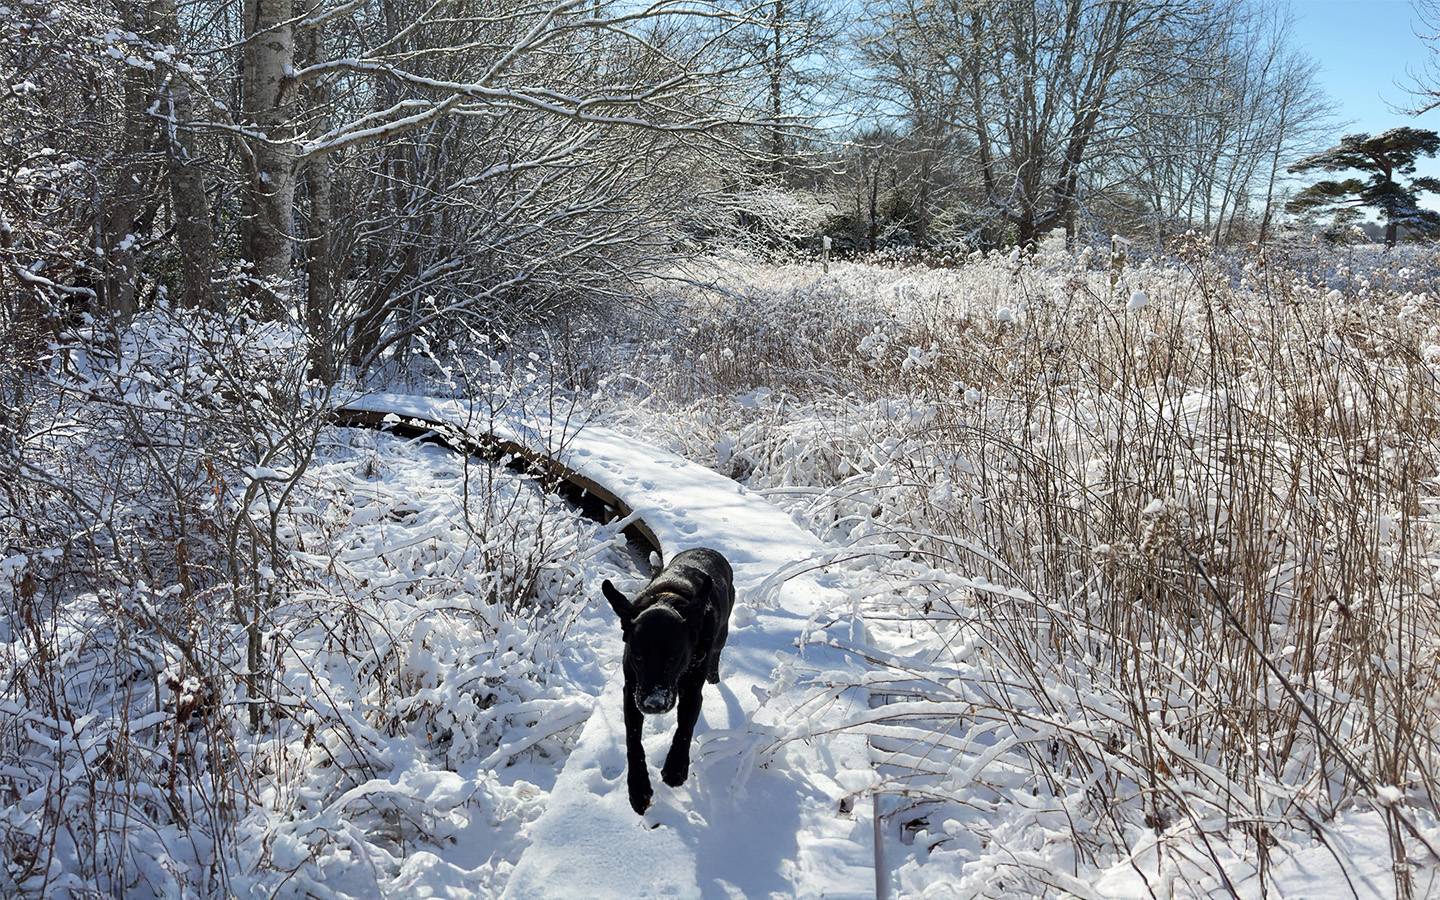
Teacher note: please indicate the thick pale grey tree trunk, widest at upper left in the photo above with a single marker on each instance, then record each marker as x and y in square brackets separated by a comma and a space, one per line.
[270, 197]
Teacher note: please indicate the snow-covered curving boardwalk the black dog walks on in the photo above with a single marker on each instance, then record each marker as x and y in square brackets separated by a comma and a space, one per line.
[750, 823]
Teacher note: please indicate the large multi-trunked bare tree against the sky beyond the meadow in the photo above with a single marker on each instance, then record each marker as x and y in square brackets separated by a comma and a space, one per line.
[1026, 84]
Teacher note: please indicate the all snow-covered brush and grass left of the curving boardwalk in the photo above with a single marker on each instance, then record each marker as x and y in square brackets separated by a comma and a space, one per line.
[241, 649]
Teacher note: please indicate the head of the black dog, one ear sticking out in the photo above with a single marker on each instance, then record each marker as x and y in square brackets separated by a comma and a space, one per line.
[660, 646]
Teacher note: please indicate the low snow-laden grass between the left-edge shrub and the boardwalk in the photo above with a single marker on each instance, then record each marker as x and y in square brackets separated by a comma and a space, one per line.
[451, 642]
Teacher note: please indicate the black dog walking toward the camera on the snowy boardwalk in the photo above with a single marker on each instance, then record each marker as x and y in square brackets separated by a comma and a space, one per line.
[675, 631]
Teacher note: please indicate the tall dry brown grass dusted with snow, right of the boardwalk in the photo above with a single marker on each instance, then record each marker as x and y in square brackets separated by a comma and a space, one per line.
[1167, 535]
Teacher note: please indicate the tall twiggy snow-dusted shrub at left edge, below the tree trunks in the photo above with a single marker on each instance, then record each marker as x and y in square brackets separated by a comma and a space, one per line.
[140, 474]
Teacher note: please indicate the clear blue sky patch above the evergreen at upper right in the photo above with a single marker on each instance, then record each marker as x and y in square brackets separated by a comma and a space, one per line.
[1364, 48]
